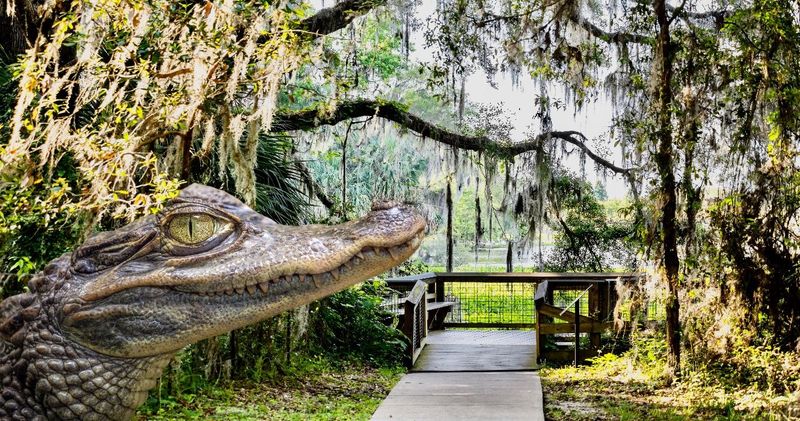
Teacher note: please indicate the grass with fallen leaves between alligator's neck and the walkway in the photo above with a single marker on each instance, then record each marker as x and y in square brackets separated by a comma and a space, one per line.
[322, 393]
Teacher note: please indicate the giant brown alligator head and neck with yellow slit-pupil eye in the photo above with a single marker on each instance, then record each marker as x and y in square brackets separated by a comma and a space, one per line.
[98, 325]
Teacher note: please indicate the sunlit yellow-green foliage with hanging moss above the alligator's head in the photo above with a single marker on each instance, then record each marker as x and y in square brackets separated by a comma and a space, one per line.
[98, 121]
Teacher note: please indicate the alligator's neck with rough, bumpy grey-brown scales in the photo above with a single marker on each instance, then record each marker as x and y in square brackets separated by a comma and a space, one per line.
[53, 378]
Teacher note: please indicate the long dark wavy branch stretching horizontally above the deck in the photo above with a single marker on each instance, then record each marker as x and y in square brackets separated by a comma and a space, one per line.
[311, 118]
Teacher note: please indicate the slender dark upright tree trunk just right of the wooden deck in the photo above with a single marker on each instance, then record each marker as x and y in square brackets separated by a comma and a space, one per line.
[664, 161]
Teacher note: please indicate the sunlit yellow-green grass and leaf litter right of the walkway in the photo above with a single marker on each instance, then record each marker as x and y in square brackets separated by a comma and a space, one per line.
[627, 388]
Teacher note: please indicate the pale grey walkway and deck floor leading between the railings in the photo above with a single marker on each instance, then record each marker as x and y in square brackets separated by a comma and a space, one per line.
[469, 375]
